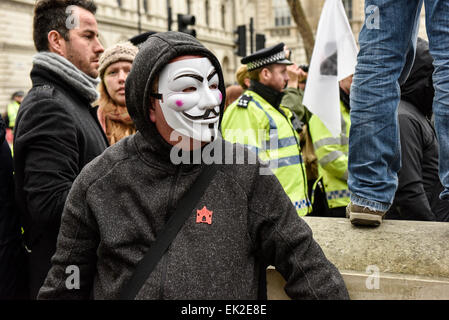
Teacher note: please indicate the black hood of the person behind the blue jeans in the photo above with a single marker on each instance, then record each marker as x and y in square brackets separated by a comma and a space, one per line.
[418, 89]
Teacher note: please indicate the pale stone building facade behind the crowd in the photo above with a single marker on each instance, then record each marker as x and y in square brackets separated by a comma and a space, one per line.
[120, 20]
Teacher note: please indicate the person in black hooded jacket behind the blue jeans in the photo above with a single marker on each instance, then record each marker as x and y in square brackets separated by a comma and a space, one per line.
[417, 196]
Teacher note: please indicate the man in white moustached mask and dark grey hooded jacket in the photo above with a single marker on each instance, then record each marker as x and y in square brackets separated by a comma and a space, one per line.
[123, 199]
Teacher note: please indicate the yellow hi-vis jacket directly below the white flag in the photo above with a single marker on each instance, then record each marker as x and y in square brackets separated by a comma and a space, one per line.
[332, 154]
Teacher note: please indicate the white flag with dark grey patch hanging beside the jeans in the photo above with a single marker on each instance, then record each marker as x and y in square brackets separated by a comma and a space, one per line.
[334, 58]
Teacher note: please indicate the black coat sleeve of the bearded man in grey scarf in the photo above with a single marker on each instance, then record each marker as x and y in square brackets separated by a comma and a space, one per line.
[49, 151]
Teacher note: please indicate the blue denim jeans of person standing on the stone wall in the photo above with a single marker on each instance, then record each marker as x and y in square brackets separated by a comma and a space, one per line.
[387, 47]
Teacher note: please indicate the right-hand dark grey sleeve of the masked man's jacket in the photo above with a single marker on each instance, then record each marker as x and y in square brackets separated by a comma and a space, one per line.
[285, 241]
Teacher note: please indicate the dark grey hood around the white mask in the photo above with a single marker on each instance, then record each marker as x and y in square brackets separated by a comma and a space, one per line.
[154, 54]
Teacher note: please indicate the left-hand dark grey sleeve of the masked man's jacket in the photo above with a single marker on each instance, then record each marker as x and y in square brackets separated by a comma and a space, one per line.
[74, 263]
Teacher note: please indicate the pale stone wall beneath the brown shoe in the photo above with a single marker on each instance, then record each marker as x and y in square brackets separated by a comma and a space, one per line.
[400, 260]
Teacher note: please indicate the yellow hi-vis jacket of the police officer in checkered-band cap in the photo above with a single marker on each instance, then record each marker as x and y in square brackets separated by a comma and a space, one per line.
[253, 122]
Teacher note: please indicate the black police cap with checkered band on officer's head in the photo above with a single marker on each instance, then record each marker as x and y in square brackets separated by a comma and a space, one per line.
[266, 56]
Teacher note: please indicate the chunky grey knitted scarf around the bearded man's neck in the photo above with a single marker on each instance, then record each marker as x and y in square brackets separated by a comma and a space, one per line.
[86, 85]
